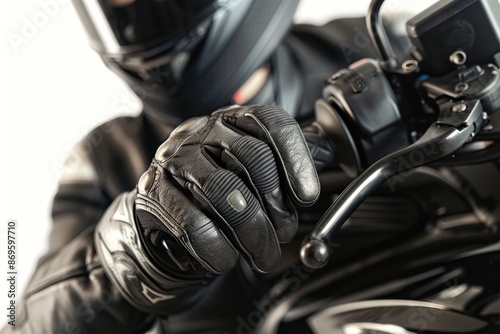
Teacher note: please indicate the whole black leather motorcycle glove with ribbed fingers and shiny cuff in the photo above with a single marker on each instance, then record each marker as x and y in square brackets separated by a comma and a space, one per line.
[220, 186]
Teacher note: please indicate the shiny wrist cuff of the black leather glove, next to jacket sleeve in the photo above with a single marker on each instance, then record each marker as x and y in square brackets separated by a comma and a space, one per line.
[127, 263]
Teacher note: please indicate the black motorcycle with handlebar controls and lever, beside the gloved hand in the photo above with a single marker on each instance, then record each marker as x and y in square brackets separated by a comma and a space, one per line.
[409, 150]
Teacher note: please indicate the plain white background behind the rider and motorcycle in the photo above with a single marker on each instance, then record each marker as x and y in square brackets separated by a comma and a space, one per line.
[54, 89]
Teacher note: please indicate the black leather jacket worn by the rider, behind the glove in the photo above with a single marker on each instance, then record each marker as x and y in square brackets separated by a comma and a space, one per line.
[70, 293]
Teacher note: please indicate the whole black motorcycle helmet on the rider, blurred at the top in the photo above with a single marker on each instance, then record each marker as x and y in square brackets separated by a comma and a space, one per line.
[185, 58]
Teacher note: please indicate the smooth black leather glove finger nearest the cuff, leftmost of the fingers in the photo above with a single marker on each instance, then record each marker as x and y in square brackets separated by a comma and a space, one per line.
[198, 234]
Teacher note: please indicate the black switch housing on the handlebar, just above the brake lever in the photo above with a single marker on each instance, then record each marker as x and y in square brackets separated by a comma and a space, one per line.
[365, 100]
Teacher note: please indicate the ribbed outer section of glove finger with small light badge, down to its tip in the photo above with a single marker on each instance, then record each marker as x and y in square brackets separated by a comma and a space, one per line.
[246, 222]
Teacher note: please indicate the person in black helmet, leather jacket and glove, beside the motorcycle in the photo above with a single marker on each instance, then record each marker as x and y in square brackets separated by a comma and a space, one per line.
[175, 239]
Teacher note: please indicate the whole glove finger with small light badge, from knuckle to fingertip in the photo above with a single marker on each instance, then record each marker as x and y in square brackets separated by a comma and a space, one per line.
[225, 195]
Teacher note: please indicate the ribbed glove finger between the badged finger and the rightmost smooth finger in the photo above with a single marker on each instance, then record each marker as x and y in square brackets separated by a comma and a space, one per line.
[256, 159]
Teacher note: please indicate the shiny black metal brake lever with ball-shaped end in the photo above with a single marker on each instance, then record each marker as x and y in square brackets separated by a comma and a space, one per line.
[457, 123]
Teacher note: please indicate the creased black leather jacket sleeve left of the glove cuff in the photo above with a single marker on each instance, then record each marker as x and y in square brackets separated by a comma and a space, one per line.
[69, 291]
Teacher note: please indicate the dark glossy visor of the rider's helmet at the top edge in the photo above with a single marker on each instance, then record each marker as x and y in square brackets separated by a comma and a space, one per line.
[123, 26]
